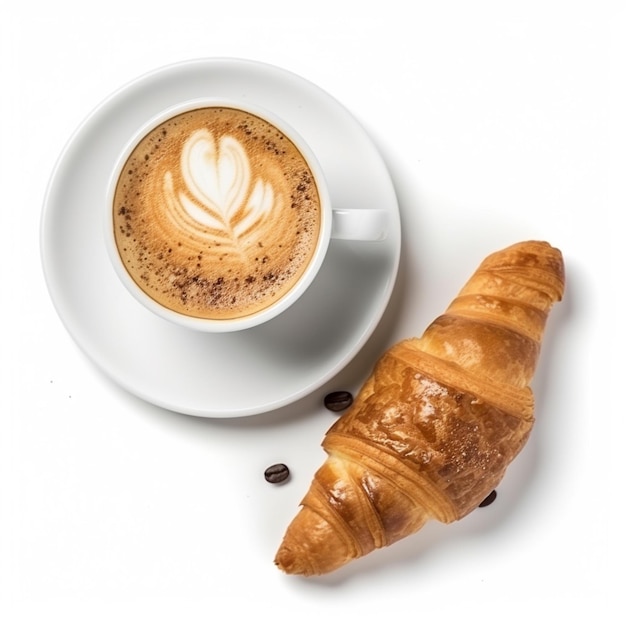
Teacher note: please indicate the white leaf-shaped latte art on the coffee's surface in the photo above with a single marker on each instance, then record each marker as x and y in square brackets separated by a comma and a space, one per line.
[220, 194]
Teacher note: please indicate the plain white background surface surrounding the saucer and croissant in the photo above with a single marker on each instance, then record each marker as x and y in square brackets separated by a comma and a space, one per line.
[498, 121]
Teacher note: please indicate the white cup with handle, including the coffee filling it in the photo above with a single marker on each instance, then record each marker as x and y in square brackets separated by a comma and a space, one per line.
[218, 216]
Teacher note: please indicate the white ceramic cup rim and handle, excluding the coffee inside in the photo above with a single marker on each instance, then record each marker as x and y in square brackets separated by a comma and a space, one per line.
[334, 223]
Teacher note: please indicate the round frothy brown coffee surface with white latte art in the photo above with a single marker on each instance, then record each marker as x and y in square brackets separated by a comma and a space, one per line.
[216, 214]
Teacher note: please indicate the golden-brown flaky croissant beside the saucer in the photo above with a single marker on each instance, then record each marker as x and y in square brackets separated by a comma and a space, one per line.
[433, 429]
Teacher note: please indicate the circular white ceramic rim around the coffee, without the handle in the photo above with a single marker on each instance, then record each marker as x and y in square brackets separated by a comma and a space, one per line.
[285, 301]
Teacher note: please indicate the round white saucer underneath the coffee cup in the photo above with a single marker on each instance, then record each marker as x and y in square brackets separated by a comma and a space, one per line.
[233, 374]
